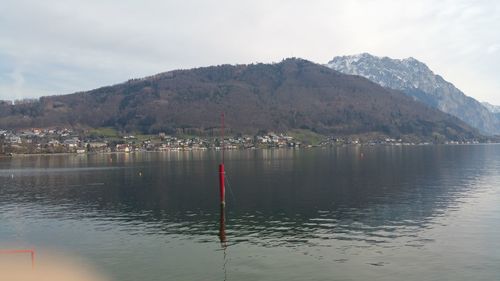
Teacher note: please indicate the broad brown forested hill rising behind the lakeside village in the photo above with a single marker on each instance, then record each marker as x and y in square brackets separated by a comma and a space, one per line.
[292, 94]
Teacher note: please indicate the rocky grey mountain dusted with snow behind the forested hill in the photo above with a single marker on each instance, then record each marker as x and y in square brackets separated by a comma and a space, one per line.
[416, 80]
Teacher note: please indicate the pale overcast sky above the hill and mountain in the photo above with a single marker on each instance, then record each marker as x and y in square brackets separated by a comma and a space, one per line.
[57, 47]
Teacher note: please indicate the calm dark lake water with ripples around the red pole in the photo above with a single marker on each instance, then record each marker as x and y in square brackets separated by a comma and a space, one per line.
[346, 213]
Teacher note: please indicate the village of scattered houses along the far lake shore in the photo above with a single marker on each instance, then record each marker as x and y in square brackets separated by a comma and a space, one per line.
[38, 141]
